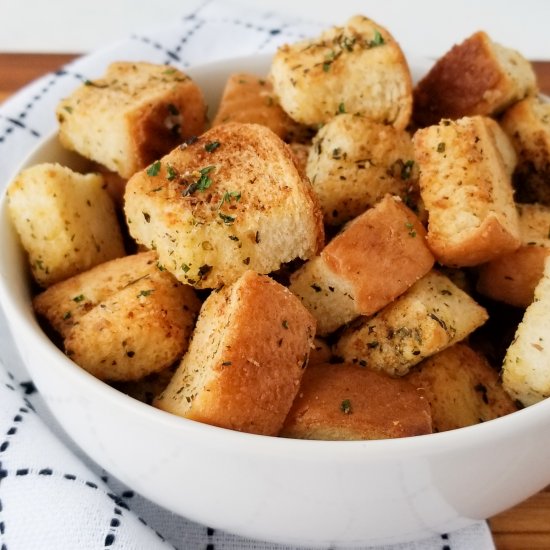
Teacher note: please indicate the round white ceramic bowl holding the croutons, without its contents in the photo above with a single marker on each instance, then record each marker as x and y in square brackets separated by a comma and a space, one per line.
[300, 492]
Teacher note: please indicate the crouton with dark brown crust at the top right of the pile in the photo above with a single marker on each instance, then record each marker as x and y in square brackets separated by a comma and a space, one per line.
[476, 77]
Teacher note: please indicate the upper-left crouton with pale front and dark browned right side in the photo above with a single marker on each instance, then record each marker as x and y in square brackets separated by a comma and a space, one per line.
[133, 115]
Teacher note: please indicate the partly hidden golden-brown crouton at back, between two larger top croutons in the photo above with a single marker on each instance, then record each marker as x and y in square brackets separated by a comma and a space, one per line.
[248, 98]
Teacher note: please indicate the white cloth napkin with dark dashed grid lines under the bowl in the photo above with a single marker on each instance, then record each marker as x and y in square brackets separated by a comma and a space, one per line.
[51, 495]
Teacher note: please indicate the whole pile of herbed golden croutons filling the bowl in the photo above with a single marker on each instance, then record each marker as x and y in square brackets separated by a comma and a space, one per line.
[340, 256]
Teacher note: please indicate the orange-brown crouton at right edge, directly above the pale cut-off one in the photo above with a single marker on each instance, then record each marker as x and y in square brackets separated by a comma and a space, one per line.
[512, 278]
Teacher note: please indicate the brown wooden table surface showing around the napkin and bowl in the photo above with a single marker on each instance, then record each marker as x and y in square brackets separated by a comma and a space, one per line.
[525, 527]
